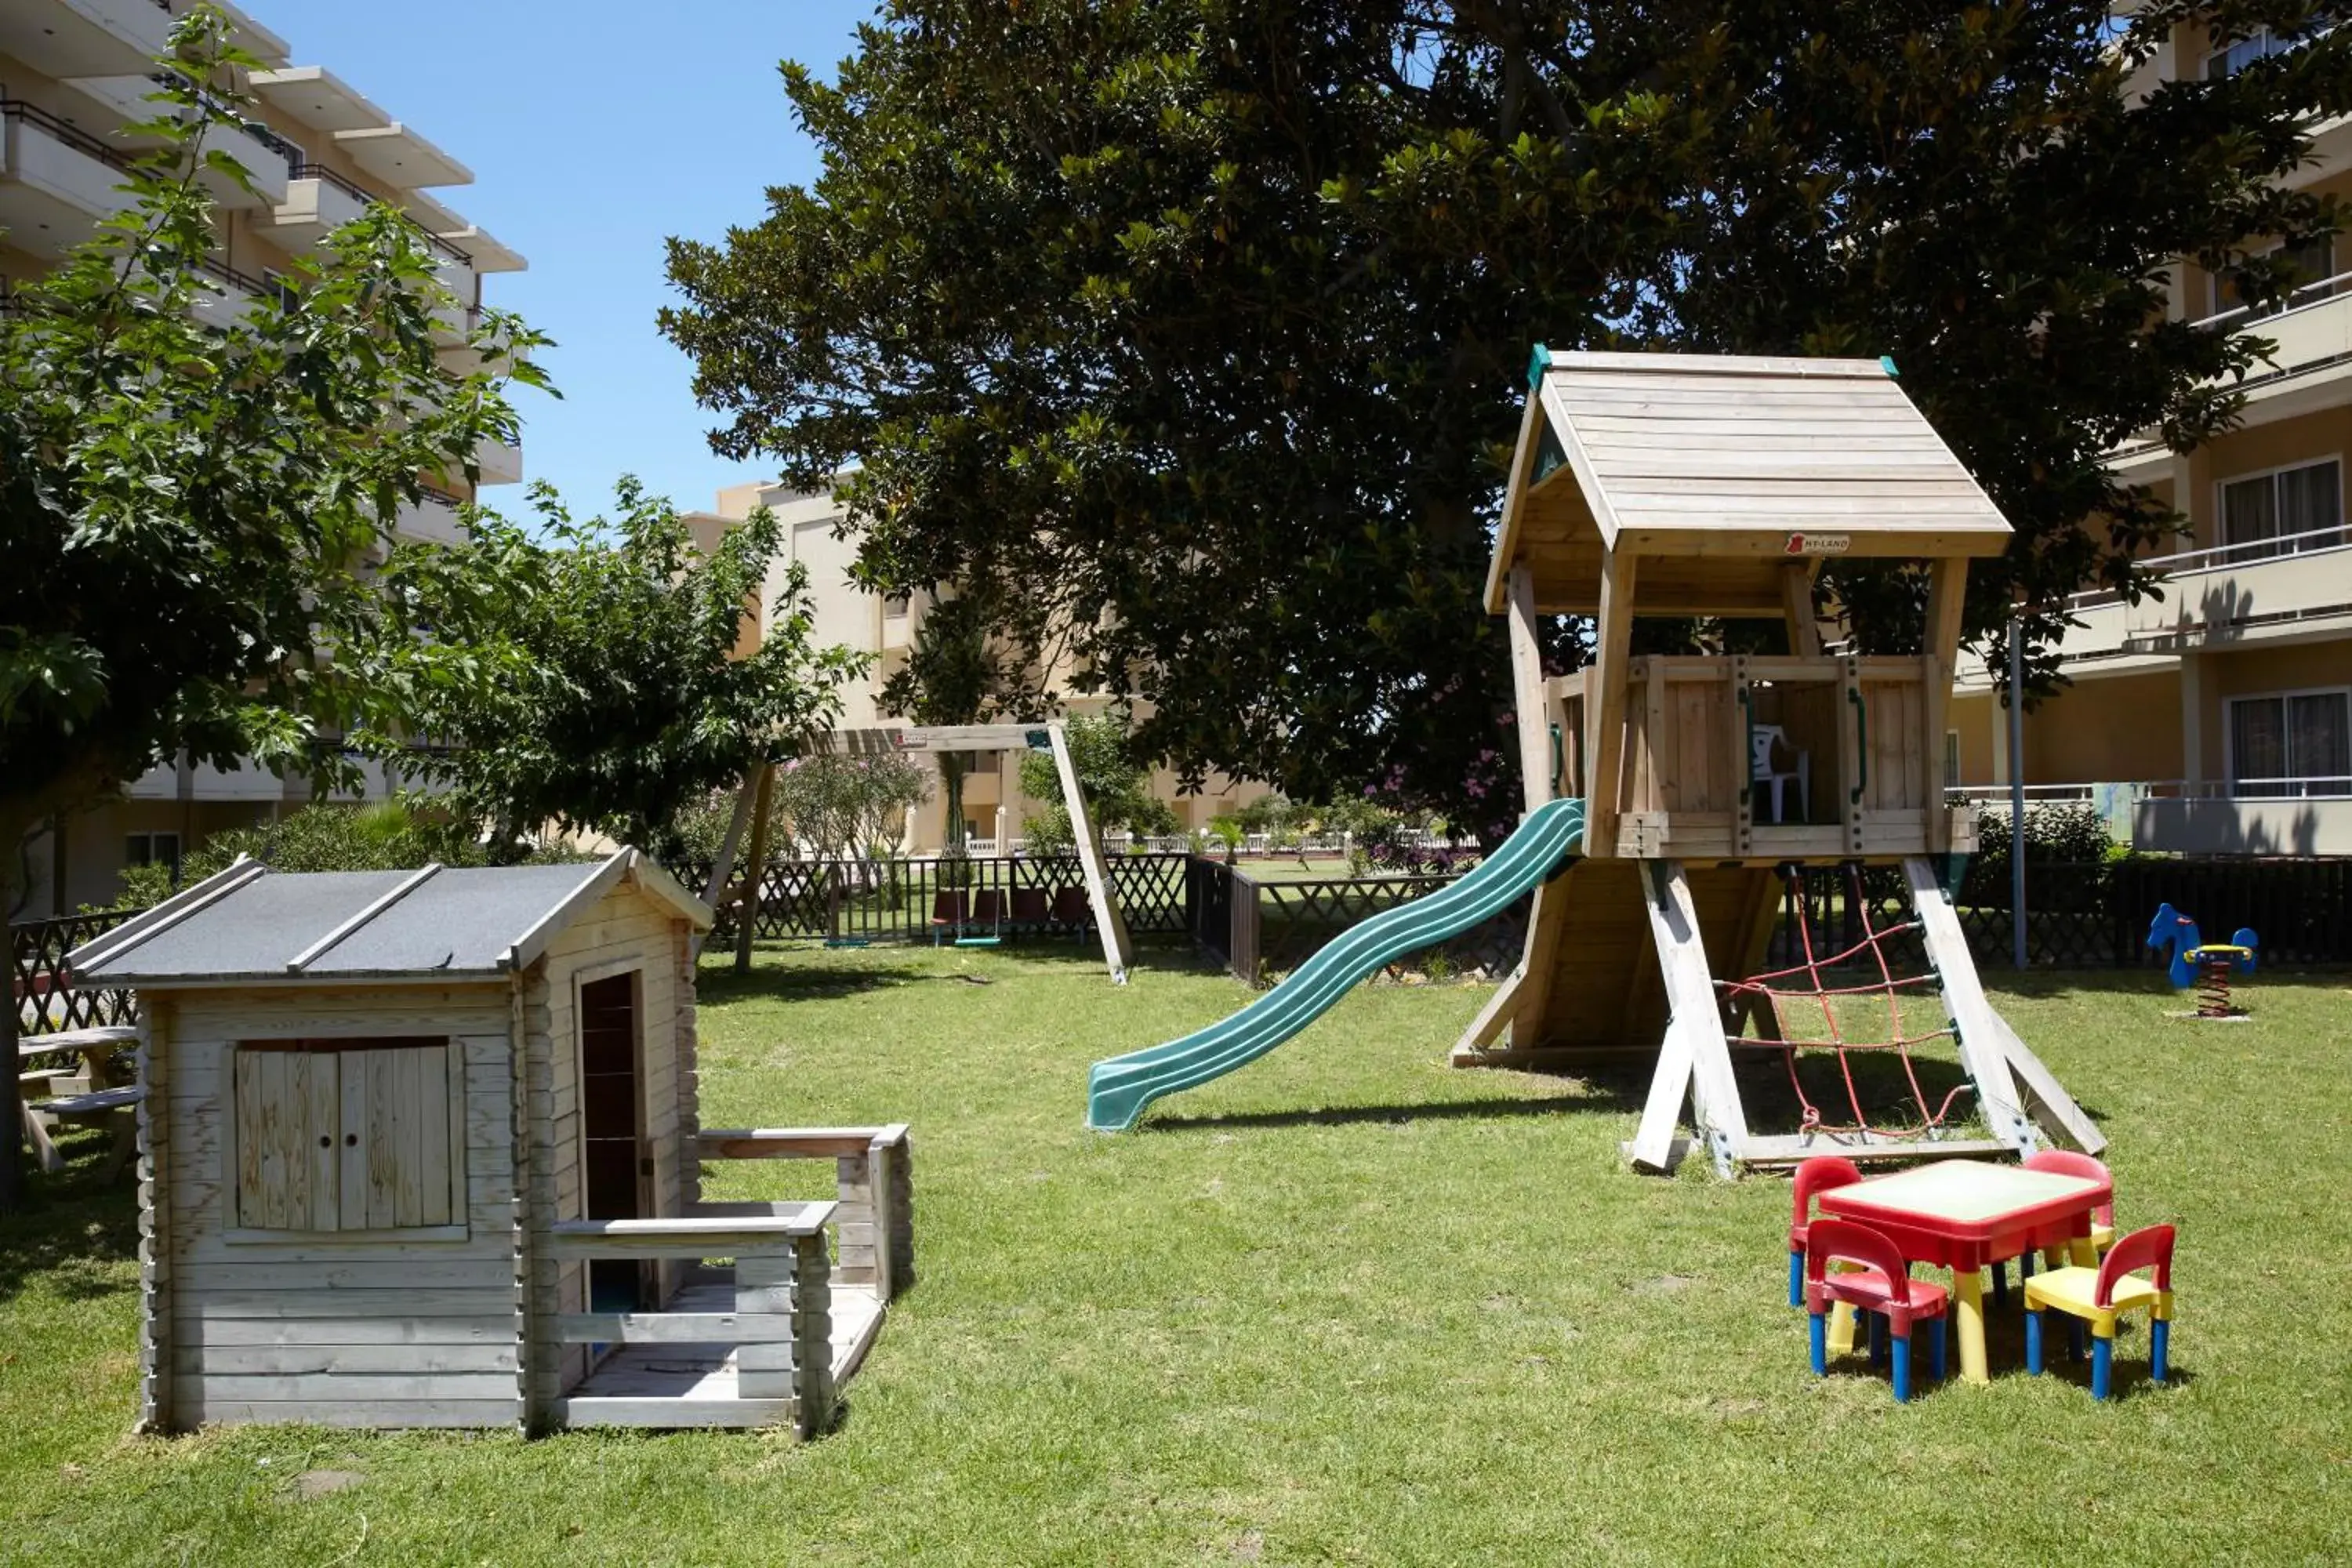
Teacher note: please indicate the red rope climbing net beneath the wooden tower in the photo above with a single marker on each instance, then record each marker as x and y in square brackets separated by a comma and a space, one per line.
[1800, 993]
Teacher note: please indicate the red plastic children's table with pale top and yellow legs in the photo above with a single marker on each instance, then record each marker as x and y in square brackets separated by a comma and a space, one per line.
[1965, 1217]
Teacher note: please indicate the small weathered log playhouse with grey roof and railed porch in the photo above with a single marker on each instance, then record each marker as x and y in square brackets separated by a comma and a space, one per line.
[425, 1151]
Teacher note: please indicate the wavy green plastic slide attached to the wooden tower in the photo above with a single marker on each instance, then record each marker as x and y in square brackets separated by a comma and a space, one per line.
[1125, 1085]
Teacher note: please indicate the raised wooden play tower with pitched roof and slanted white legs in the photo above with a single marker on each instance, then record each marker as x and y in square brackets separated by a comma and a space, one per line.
[1711, 485]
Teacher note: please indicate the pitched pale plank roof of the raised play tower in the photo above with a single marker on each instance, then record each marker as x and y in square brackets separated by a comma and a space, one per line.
[1718, 471]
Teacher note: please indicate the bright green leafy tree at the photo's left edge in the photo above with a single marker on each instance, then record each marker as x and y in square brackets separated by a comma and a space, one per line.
[187, 511]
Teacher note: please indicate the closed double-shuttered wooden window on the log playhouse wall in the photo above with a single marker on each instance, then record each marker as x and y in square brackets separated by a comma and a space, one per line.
[349, 1134]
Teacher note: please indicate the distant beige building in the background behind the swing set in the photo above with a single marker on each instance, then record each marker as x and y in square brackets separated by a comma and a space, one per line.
[888, 629]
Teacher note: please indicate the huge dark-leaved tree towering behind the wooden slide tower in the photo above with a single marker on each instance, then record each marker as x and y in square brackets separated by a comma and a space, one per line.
[1198, 328]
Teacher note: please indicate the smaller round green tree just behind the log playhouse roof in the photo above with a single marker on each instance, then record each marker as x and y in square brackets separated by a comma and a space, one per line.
[620, 697]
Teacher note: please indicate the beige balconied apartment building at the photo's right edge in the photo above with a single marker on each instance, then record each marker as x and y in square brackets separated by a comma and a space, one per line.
[2221, 716]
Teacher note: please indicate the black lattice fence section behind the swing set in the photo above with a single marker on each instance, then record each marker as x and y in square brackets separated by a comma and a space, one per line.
[897, 902]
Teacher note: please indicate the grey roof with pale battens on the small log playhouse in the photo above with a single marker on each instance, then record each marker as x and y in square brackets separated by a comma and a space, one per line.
[462, 923]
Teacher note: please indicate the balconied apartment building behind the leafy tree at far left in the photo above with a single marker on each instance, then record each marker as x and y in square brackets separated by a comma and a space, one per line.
[319, 152]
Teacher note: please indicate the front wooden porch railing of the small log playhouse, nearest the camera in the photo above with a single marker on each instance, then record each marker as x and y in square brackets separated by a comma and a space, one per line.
[782, 1322]
